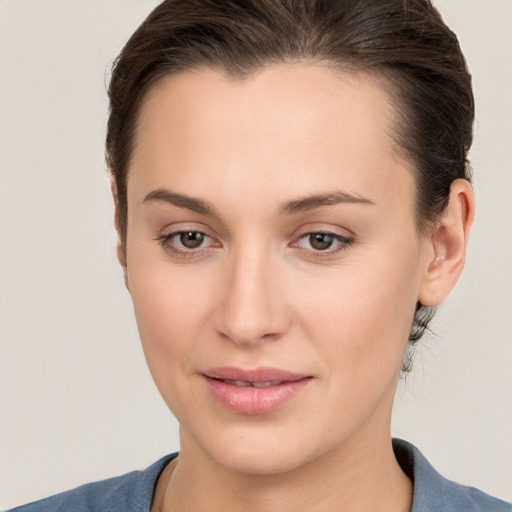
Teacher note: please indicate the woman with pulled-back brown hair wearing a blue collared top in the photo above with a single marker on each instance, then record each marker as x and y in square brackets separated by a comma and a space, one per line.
[292, 201]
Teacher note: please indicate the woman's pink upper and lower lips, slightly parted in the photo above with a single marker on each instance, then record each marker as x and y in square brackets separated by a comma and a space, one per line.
[256, 391]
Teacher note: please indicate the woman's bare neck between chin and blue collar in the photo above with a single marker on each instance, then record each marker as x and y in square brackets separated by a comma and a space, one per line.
[357, 476]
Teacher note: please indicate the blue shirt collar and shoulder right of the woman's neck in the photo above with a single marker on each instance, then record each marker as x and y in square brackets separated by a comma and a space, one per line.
[434, 492]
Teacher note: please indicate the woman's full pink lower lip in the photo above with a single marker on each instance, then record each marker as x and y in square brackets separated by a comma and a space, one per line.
[253, 401]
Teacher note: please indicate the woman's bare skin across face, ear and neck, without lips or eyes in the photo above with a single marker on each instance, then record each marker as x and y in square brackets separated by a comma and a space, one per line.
[257, 293]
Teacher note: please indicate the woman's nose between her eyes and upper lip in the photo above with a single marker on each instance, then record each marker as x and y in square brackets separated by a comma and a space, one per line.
[252, 305]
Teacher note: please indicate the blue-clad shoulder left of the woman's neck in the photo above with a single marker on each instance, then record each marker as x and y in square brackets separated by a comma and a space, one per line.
[130, 492]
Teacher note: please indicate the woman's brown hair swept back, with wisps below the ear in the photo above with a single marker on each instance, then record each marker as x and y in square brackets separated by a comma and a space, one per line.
[405, 42]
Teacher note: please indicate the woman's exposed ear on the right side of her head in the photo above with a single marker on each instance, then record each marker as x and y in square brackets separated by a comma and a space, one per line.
[446, 249]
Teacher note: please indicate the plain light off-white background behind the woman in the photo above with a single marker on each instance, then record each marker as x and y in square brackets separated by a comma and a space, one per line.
[76, 400]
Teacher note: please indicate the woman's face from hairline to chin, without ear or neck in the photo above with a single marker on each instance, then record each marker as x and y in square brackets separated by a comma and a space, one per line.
[272, 240]
